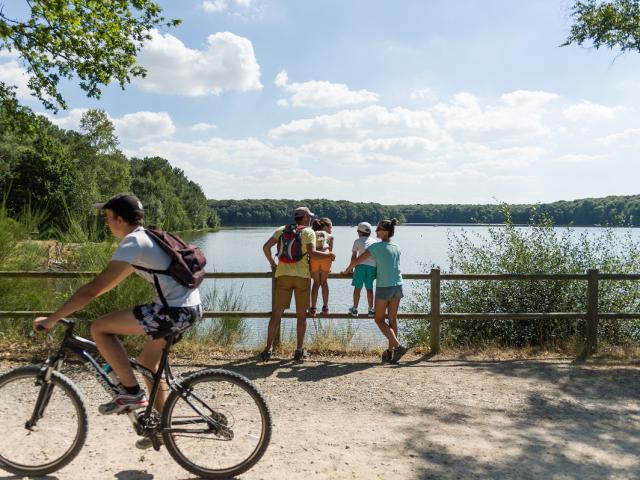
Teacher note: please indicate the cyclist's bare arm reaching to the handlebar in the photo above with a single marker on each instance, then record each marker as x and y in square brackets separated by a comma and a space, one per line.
[114, 273]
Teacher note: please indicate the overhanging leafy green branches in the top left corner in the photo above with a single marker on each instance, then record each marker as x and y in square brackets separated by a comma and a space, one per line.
[97, 41]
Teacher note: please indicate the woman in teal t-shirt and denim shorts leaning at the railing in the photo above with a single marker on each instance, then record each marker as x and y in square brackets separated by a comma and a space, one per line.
[388, 286]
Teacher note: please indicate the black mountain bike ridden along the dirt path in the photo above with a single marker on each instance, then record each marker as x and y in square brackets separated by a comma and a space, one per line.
[211, 405]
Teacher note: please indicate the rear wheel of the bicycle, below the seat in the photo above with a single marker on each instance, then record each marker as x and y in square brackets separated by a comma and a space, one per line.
[219, 427]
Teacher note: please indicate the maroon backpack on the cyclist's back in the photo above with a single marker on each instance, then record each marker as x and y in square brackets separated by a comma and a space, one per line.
[187, 261]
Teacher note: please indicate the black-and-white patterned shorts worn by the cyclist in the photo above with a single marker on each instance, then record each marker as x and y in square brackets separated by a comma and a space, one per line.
[159, 321]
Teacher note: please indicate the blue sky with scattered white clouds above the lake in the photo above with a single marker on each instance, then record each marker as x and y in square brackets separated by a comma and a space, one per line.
[393, 102]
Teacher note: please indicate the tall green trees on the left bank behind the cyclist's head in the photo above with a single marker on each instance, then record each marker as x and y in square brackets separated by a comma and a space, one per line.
[57, 174]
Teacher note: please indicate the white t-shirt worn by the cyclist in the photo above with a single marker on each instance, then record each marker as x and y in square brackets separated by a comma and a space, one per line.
[137, 248]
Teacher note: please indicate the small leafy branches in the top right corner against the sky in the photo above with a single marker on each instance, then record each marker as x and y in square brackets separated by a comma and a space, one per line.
[611, 24]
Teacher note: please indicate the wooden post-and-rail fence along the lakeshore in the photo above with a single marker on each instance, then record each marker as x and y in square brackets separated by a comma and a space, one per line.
[591, 314]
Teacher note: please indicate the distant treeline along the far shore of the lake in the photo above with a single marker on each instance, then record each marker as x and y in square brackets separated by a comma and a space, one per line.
[610, 211]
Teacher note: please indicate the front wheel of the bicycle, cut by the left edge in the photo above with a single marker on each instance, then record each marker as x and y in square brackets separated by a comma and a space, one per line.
[60, 426]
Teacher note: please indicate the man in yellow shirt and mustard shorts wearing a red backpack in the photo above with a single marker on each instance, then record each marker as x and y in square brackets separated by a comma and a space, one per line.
[296, 243]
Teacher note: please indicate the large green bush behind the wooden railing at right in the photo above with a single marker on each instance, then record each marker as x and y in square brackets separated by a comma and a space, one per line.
[539, 248]
